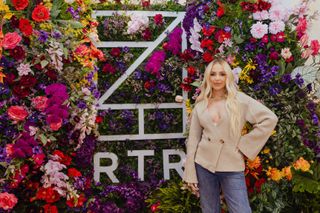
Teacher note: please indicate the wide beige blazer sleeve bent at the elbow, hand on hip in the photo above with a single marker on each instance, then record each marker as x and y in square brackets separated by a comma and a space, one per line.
[263, 121]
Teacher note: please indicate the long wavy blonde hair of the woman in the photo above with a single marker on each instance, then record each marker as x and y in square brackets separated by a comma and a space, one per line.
[232, 89]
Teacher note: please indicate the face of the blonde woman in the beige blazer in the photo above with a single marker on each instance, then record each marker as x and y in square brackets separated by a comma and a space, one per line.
[218, 77]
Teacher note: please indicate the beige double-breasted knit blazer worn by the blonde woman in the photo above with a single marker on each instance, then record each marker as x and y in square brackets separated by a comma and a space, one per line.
[214, 148]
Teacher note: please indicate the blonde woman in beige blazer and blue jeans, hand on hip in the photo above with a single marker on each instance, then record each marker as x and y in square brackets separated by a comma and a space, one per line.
[215, 147]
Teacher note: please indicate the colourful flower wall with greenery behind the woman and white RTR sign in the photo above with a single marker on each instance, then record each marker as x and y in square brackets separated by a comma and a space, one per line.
[48, 92]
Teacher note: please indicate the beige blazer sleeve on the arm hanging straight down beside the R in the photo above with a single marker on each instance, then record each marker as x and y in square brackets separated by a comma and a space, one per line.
[193, 140]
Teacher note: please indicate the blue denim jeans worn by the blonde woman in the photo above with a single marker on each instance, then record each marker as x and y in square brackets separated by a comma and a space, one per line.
[233, 186]
